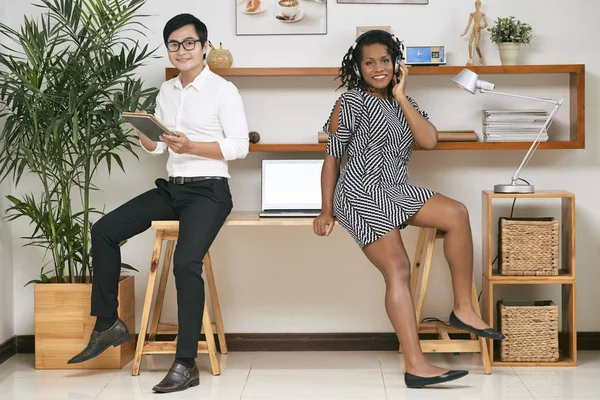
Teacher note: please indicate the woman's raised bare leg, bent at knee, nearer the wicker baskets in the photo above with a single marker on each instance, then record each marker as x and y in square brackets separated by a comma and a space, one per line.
[452, 217]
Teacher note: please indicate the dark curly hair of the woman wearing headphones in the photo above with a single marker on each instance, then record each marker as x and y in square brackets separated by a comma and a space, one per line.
[354, 55]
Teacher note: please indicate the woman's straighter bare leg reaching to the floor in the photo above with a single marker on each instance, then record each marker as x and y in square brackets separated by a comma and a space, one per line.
[389, 256]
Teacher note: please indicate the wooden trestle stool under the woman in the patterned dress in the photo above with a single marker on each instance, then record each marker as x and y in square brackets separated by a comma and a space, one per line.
[426, 243]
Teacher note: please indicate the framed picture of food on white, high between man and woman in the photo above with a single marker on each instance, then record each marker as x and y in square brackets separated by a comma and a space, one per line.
[280, 17]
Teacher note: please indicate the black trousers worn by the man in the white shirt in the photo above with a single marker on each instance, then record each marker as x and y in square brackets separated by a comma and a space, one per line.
[201, 208]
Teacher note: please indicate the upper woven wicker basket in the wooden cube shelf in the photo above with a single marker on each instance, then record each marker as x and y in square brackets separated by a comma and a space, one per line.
[528, 246]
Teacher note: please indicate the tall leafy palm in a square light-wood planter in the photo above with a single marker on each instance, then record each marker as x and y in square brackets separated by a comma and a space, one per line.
[65, 79]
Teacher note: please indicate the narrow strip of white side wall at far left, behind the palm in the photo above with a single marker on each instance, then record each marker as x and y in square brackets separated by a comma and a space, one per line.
[7, 323]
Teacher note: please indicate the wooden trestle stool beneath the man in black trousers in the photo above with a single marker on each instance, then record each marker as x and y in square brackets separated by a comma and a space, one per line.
[169, 230]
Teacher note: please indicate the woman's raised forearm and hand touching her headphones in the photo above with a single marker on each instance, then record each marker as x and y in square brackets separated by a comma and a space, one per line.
[424, 131]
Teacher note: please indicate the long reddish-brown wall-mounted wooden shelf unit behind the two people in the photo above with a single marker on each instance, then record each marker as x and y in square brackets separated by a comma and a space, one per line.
[576, 101]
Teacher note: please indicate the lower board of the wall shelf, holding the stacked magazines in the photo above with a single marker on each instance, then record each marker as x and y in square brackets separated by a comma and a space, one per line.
[320, 147]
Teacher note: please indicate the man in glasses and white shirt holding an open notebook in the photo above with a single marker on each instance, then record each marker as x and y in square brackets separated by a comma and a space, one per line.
[207, 116]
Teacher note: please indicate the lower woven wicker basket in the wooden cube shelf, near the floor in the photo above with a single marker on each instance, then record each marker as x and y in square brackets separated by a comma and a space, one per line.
[531, 330]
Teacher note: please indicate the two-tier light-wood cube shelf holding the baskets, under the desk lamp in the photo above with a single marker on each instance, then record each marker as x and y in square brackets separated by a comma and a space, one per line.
[566, 277]
